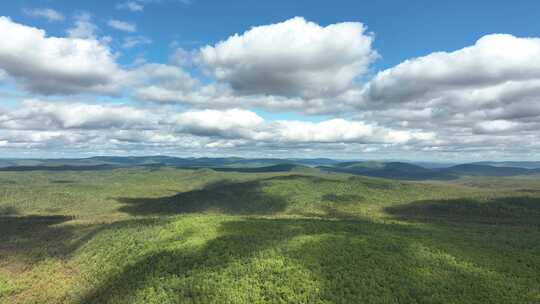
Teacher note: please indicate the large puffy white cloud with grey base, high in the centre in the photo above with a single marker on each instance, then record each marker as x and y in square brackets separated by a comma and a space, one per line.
[292, 58]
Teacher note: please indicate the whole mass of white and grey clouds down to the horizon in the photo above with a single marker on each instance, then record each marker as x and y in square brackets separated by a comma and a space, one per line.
[476, 100]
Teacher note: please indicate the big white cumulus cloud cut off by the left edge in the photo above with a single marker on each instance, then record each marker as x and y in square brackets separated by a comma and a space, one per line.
[54, 65]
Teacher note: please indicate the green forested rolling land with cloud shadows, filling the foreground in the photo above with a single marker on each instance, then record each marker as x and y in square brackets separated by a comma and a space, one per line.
[161, 235]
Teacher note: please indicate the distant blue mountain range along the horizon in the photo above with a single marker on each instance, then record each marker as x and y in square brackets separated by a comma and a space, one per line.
[394, 170]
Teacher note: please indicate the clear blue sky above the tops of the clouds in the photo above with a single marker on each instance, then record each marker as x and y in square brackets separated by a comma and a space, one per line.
[403, 29]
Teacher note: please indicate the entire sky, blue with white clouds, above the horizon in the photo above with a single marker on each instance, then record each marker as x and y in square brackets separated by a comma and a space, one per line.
[407, 80]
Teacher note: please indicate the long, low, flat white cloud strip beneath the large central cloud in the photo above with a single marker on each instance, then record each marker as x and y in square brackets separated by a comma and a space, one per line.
[247, 125]
